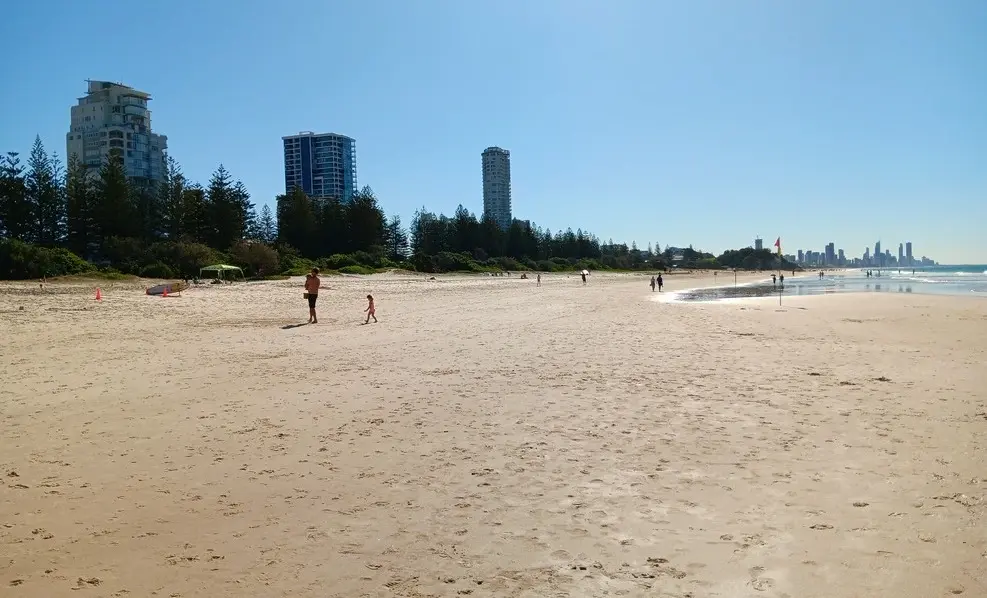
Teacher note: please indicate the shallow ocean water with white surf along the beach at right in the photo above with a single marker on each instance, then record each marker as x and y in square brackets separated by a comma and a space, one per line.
[936, 280]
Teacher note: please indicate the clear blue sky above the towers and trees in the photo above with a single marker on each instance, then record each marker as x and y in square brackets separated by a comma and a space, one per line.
[704, 122]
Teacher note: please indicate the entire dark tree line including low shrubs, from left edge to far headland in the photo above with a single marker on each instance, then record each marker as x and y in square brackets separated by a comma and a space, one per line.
[57, 219]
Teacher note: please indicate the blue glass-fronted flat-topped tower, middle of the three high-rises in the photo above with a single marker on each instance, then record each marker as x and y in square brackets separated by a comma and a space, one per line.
[320, 164]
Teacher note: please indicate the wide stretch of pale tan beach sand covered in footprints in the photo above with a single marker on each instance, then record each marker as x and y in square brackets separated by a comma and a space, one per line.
[490, 438]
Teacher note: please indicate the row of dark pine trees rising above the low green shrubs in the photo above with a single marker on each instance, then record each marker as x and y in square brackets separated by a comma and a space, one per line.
[46, 204]
